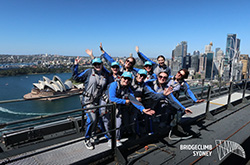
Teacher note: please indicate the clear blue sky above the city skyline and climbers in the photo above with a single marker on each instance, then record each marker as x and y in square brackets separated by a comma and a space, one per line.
[69, 27]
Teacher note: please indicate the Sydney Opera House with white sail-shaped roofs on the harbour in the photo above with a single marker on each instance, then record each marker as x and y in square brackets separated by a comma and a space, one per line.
[53, 89]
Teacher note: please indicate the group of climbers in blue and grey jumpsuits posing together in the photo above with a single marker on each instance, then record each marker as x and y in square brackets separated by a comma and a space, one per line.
[138, 93]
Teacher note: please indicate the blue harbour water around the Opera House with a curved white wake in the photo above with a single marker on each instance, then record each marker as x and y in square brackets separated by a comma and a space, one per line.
[15, 87]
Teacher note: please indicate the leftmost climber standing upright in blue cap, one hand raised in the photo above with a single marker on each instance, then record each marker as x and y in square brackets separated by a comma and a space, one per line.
[95, 81]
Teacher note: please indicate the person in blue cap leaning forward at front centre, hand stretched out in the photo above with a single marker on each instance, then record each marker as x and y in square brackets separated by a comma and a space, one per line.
[121, 93]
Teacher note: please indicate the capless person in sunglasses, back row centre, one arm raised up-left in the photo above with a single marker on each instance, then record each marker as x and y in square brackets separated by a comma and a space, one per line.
[127, 66]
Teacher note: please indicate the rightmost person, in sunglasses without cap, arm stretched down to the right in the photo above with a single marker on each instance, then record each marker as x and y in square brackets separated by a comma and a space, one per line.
[179, 84]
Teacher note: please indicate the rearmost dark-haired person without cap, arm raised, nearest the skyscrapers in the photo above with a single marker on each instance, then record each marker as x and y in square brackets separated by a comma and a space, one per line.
[157, 68]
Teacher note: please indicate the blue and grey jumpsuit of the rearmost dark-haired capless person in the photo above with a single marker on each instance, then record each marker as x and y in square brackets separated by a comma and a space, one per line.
[156, 67]
